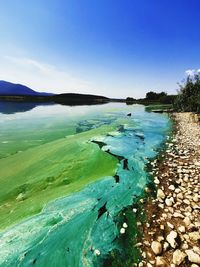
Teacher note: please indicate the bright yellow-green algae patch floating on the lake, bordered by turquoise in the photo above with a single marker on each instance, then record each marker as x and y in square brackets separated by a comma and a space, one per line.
[30, 179]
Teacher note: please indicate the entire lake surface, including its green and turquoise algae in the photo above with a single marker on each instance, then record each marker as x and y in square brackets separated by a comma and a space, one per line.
[66, 231]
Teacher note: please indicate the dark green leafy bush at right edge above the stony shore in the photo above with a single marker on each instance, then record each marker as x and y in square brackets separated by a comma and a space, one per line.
[188, 98]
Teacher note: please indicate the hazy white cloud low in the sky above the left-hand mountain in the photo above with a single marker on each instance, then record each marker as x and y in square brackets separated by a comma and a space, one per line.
[41, 76]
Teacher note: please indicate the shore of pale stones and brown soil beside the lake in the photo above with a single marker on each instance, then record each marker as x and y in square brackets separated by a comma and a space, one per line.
[171, 234]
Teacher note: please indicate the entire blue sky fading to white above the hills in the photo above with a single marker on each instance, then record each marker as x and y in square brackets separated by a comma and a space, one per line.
[116, 48]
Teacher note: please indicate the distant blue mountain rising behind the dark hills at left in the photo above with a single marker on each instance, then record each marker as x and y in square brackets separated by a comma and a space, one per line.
[8, 89]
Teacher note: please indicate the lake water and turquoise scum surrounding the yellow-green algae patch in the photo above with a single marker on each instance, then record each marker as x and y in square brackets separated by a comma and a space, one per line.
[69, 229]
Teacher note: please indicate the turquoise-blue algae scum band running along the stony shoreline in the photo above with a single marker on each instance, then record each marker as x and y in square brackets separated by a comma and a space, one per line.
[69, 229]
